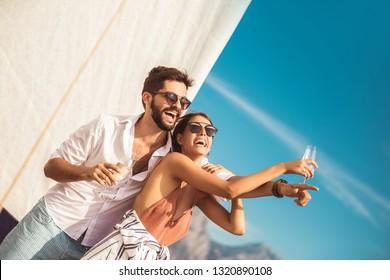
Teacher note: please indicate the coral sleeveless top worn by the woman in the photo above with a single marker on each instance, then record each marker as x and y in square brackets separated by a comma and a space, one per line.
[158, 219]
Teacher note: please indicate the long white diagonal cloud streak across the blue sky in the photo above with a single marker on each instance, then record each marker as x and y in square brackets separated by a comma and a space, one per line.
[346, 188]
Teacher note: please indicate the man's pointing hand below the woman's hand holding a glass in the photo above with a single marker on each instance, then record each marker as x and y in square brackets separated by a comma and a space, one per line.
[299, 191]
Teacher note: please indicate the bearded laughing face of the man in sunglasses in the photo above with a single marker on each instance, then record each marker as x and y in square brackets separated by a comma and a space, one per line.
[164, 114]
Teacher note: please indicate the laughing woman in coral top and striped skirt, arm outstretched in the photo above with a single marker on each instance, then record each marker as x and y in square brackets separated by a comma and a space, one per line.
[161, 214]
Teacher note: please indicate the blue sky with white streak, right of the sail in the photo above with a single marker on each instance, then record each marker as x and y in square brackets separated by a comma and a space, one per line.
[309, 72]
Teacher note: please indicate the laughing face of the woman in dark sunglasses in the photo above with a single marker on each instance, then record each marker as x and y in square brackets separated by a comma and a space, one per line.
[196, 143]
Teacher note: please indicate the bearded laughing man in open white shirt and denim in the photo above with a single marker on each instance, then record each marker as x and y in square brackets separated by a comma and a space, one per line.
[72, 216]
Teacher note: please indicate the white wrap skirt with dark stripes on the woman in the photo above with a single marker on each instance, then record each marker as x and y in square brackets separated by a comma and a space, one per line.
[129, 241]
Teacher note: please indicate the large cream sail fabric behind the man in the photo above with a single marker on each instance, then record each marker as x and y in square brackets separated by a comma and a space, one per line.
[64, 62]
